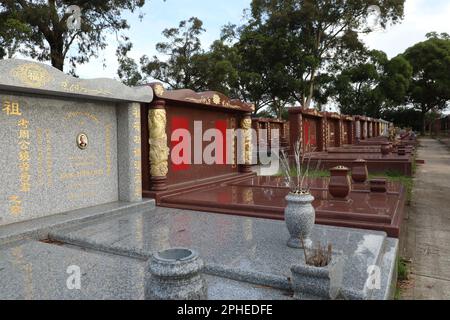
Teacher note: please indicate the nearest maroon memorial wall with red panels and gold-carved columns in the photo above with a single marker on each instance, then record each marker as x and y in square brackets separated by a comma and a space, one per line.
[195, 113]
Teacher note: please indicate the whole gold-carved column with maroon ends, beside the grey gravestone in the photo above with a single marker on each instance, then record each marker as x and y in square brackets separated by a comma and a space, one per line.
[159, 152]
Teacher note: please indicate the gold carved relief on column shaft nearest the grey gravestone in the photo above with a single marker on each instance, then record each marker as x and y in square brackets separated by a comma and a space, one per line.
[159, 152]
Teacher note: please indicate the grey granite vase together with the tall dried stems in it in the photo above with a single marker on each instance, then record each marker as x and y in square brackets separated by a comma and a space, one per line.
[299, 213]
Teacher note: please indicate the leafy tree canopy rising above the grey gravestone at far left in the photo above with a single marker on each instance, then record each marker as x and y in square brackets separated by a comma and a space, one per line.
[48, 35]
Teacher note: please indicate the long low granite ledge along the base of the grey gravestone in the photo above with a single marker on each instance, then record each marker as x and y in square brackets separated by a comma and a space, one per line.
[39, 228]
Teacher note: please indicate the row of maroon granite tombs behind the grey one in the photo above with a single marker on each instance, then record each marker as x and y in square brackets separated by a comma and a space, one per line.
[349, 147]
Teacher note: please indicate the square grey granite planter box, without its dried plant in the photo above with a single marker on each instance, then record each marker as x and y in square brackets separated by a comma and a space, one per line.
[309, 282]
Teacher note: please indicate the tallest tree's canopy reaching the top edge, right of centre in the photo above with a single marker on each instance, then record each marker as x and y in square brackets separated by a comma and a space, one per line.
[303, 38]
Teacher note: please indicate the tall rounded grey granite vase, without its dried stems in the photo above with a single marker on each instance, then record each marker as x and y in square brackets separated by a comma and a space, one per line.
[300, 217]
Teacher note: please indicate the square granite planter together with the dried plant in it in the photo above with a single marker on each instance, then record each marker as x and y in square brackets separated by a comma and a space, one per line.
[320, 277]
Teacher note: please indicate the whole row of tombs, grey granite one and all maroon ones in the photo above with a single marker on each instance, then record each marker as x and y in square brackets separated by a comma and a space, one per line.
[75, 144]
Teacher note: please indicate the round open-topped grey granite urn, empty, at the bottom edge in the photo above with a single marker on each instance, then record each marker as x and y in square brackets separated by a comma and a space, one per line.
[175, 274]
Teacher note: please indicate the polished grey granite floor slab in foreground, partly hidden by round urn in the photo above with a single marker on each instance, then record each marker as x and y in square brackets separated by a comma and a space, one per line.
[38, 271]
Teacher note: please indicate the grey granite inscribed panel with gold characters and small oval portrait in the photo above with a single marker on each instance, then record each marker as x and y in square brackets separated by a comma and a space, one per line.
[59, 176]
